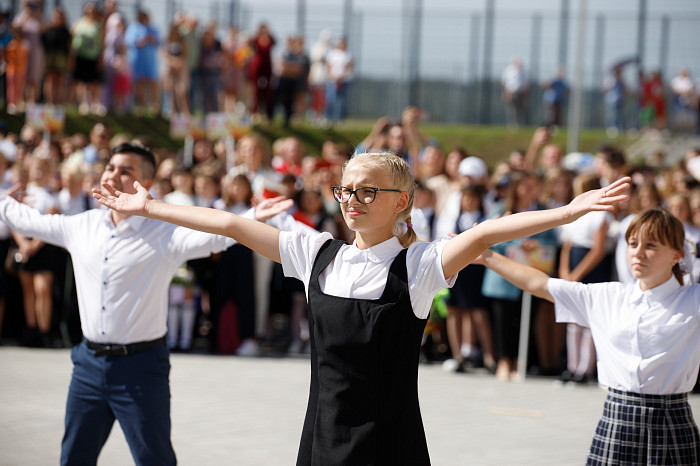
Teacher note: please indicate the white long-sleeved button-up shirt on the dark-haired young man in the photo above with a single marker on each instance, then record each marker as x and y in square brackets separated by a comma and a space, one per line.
[122, 272]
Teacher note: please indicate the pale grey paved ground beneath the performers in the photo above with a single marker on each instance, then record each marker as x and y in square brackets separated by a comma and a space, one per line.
[238, 411]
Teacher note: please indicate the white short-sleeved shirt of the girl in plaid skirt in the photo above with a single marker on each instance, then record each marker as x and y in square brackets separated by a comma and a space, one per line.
[646, 341]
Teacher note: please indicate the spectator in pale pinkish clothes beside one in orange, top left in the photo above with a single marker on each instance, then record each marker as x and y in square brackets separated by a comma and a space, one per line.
[30, 21]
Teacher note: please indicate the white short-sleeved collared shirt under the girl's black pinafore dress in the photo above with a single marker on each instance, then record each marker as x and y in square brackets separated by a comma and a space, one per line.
[362, 273]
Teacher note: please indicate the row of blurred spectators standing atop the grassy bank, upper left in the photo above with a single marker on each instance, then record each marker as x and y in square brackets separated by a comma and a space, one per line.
[101, 62]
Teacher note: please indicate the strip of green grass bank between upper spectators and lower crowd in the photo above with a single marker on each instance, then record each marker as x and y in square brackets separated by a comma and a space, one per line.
[492, 143]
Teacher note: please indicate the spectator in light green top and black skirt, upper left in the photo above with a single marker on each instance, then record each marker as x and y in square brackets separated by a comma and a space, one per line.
[86, 51]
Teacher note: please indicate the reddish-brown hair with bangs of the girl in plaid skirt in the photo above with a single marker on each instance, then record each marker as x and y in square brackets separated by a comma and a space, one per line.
[658, 224]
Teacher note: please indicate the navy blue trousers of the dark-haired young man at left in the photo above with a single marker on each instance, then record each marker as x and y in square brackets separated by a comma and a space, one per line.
[132, 389]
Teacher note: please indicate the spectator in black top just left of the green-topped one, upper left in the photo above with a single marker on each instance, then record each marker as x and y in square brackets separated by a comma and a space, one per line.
[56, 40]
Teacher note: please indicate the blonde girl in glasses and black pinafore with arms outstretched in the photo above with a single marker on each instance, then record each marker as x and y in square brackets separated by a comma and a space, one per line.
[368, 301]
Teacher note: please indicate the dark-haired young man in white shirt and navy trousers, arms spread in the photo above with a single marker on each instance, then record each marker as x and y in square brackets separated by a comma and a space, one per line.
[123, 266]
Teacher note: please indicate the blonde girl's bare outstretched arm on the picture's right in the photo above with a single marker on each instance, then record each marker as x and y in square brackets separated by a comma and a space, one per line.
[464, 248]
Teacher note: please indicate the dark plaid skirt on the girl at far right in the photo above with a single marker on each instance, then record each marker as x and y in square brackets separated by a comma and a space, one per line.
[645, 430]
